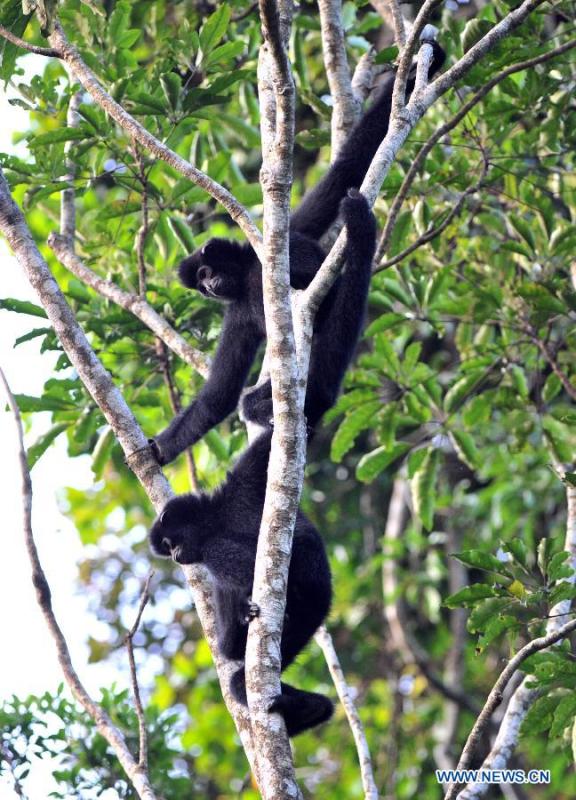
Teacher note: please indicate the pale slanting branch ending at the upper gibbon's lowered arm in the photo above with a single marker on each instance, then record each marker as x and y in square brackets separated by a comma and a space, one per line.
[130, 302]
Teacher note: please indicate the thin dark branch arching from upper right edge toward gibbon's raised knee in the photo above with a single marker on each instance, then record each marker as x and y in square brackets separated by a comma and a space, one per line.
[445, 129]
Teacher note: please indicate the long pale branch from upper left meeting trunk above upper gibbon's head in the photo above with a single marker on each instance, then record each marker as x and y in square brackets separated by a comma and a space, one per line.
[141, 135]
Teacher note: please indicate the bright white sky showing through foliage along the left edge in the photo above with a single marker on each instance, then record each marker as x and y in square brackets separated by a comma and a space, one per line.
[27, 656]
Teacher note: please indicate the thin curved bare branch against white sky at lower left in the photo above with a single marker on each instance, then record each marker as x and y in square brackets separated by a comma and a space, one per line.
[136, 772]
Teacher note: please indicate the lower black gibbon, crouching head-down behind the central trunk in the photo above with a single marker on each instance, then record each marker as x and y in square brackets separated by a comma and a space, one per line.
[221, 531]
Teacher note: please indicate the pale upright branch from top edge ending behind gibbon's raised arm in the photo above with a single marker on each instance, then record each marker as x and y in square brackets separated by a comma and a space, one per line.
[345, 108]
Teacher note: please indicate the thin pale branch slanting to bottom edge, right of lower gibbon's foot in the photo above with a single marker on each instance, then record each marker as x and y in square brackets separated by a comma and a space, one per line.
[324, 641]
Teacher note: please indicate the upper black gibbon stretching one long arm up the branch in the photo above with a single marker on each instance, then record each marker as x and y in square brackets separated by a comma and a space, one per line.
[230, 272]
